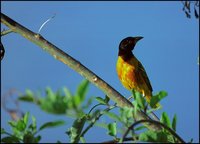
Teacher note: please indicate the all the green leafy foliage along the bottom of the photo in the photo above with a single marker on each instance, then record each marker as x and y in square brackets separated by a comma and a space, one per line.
[76, 106]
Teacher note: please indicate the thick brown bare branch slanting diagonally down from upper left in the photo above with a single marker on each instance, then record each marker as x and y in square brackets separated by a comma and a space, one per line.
[75, 65]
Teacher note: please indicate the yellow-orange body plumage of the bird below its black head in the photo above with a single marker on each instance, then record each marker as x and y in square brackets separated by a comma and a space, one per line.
[133, 76]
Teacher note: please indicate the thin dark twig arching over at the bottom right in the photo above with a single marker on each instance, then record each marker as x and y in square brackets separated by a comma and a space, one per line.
[153, 122]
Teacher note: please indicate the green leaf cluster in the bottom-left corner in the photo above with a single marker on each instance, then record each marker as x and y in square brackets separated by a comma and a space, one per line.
[24, 132]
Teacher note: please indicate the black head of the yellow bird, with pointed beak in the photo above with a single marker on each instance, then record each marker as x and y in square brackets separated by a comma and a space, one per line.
[128, 44]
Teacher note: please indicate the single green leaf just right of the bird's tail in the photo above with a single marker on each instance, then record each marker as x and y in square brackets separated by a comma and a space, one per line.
[158, 97]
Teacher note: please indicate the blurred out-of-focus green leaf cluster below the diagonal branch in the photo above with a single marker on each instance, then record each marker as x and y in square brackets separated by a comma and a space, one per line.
[60, 102]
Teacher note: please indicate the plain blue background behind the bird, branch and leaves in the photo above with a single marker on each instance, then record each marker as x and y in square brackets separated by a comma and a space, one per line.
[91, 32]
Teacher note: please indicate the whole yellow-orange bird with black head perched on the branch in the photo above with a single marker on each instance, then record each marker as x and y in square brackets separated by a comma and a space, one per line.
[130, 70]
